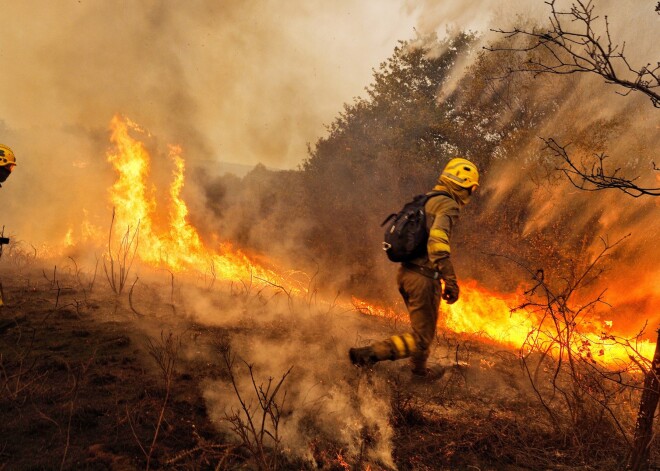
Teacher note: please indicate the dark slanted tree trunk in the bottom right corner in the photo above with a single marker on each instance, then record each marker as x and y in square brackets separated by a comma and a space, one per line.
[639, 456]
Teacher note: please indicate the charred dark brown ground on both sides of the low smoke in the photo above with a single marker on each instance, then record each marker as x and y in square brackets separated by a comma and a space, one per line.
[83, 384]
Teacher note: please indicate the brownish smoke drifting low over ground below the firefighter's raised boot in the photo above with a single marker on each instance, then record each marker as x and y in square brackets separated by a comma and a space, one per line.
[324, 401]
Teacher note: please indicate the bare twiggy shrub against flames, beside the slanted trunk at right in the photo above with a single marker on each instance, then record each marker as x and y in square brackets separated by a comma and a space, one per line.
[586, 395]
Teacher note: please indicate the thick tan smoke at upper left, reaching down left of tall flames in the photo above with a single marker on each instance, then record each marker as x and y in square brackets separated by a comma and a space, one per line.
[235, 81]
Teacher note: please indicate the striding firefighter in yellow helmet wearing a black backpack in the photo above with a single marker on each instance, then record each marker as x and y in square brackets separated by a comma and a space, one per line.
[424, 267]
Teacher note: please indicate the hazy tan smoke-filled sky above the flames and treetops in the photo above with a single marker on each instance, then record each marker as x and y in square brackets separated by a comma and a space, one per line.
[242, 81]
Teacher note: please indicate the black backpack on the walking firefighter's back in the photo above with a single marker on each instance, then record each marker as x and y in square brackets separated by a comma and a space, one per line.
[406, 235]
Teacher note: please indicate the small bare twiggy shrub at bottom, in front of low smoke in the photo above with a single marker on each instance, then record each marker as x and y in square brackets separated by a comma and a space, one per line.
[257, 427]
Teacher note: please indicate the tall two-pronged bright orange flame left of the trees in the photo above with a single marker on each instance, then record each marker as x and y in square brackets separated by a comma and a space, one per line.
[178, 246]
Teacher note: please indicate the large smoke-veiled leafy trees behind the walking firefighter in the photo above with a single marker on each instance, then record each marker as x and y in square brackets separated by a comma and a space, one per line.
[423, 107]
